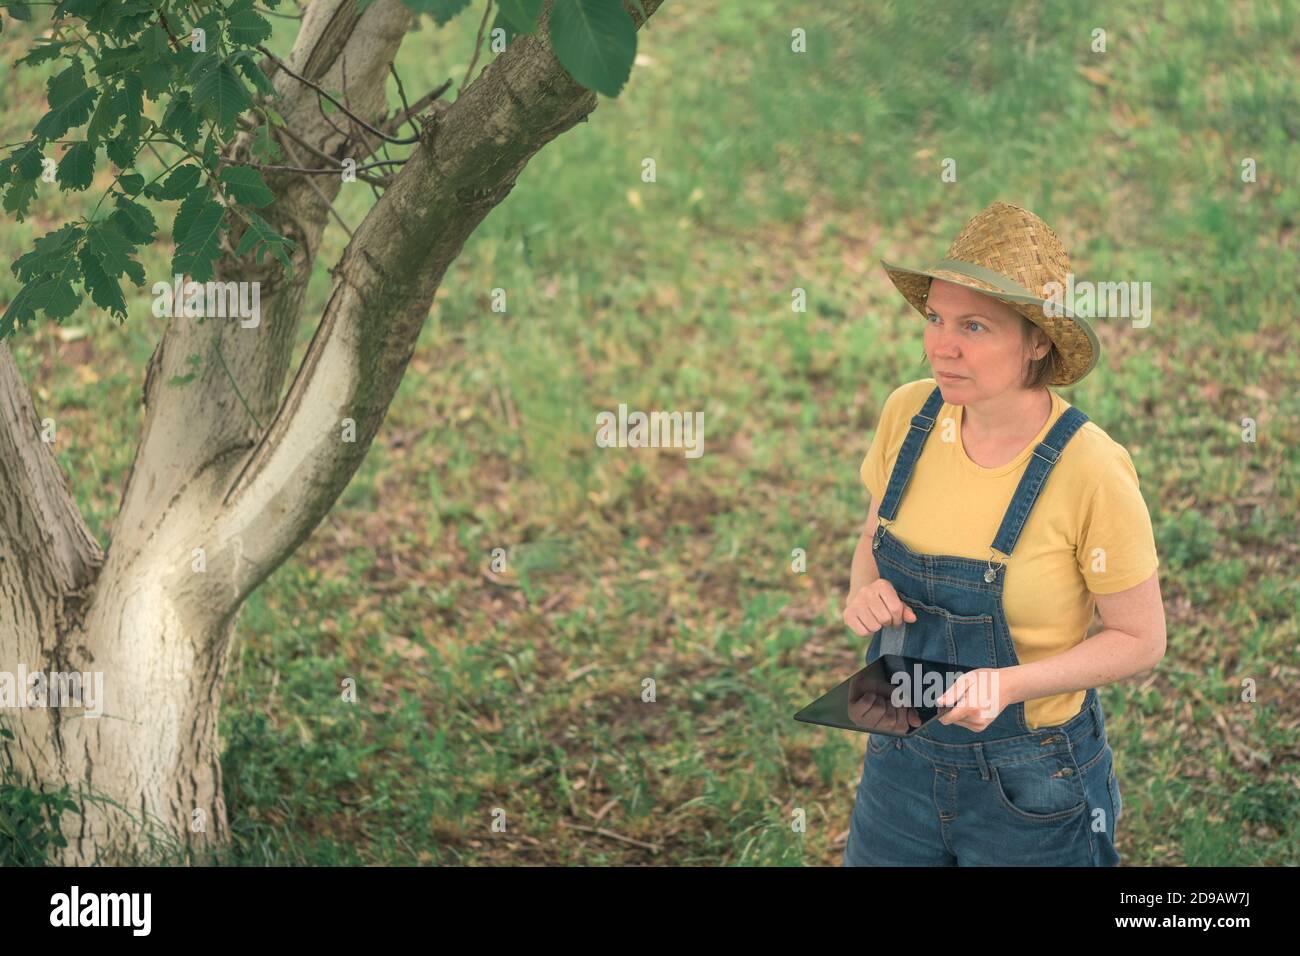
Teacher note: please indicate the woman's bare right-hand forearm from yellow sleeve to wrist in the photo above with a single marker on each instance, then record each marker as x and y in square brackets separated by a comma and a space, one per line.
[1132, 643]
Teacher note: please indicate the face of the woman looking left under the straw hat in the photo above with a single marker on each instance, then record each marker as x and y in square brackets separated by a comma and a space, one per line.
[977, 338]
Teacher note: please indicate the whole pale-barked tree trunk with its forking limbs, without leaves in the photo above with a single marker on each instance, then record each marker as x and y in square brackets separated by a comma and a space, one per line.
[209, 488]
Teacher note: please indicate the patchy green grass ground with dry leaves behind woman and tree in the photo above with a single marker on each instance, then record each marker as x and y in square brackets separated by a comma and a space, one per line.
[522, 693]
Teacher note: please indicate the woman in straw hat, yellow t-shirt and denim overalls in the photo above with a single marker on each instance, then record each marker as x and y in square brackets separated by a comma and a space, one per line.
[1000, 518]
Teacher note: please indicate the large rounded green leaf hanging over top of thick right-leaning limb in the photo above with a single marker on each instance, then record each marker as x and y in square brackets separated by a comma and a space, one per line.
[596, 41]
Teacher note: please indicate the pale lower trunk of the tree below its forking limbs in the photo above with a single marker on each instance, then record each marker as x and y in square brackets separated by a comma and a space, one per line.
[148, 771]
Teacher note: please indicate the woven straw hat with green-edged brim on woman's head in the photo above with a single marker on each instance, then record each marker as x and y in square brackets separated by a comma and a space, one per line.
[1011, 254]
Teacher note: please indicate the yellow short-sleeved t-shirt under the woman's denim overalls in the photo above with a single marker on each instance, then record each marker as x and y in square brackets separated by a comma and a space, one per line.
[1089, 534]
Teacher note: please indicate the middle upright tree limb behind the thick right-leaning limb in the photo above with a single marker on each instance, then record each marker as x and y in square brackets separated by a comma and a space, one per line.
[193, 438]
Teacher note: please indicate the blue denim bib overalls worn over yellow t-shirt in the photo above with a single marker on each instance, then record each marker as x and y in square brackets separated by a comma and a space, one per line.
[1007, 795]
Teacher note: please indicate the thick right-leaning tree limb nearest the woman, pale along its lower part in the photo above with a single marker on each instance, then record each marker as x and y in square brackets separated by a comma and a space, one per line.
[384, 285]
